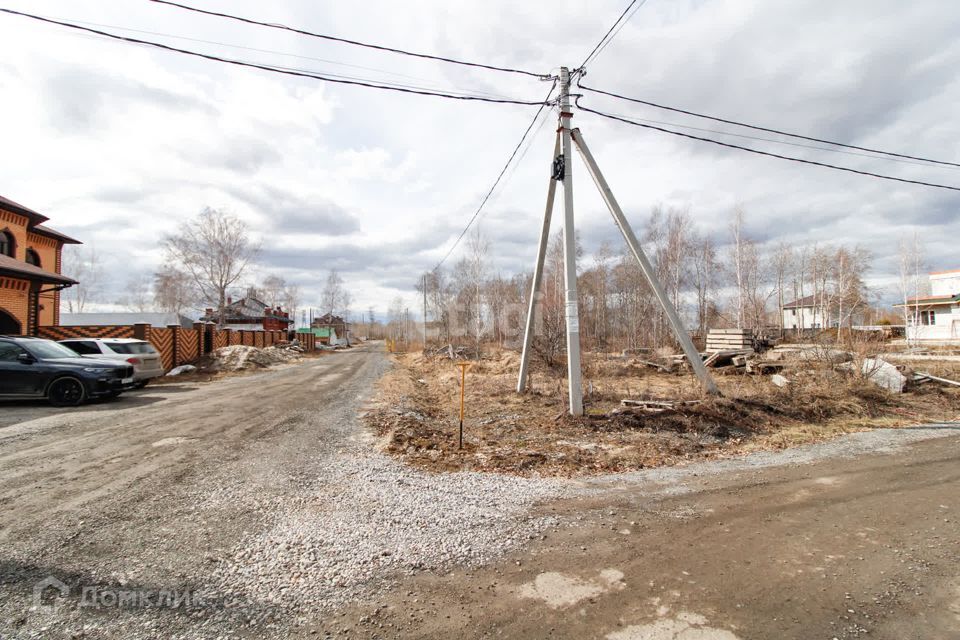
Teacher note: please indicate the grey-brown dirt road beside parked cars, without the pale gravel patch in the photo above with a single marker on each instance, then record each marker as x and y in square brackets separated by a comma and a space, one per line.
[150, 491]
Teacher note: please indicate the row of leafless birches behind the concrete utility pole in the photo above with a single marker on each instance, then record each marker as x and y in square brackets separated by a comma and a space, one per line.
[715, 281]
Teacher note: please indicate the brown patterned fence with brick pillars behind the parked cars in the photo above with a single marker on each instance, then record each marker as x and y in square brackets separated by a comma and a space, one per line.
[176, 344]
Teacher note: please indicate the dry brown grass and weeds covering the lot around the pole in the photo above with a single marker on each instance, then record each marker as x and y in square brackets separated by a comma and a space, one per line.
[669, 422]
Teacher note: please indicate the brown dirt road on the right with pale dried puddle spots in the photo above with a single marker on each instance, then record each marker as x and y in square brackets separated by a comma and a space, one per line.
[840, 548]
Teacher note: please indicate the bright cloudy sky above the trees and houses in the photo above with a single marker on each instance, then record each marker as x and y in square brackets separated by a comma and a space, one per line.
[118, 143]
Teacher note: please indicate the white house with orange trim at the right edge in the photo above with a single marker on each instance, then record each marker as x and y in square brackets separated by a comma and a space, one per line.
[936, 316]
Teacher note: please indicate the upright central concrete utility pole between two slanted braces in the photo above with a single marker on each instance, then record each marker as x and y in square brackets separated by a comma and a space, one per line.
[570, 253]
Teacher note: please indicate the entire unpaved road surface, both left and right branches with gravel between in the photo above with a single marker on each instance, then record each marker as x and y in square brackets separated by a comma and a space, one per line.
[257, 507]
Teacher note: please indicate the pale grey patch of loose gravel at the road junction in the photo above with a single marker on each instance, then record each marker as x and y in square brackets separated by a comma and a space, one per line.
[372, 520]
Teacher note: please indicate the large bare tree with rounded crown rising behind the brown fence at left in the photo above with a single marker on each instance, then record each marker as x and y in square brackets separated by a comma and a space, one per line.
[214, 249]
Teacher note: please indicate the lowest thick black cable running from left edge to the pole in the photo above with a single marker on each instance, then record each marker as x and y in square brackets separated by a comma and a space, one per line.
[273, 69]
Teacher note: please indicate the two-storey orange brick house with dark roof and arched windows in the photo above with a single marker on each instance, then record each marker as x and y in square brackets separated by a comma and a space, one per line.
[30, 279]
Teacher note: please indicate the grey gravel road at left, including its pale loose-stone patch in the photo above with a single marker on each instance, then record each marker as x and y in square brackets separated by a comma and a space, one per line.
[259, 497]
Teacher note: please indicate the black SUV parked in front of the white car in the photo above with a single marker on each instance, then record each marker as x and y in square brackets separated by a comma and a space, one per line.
[38, 368]
